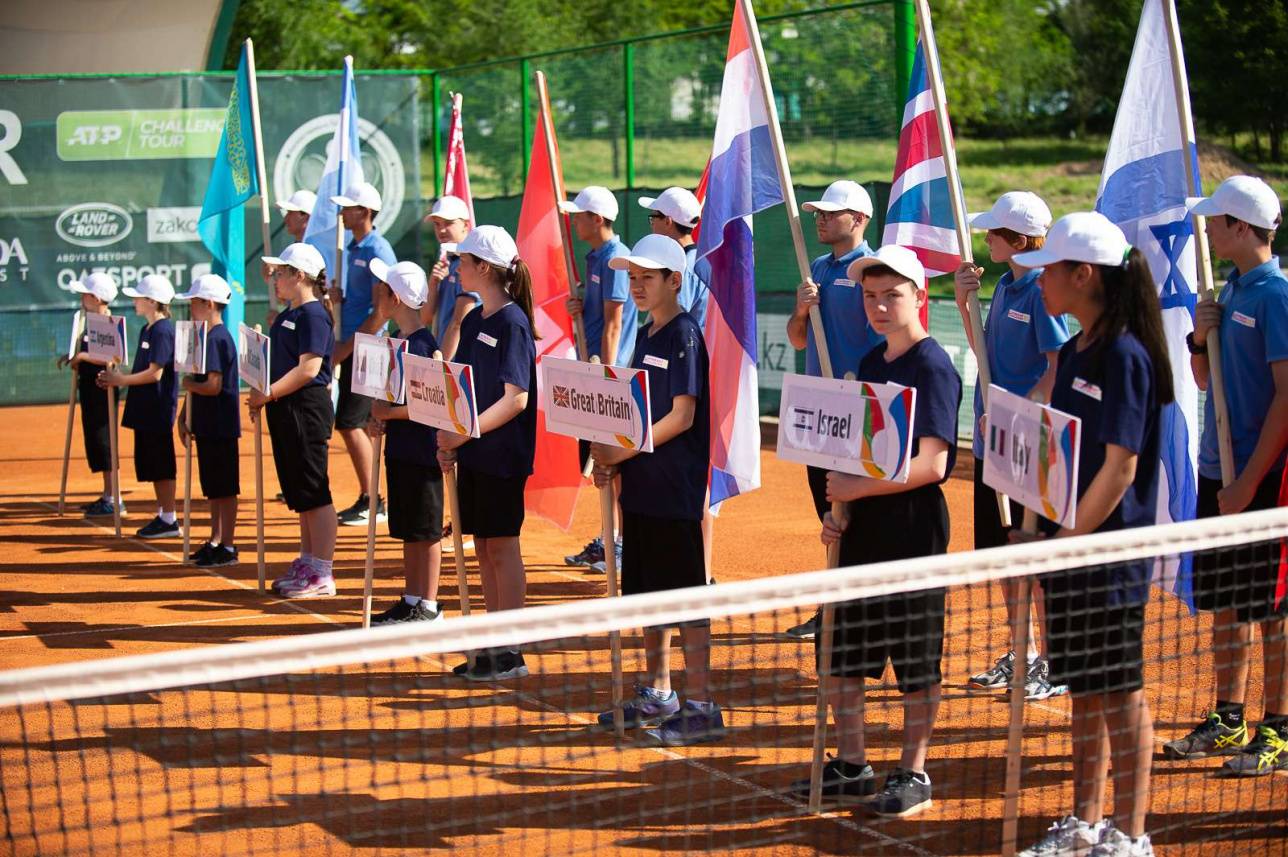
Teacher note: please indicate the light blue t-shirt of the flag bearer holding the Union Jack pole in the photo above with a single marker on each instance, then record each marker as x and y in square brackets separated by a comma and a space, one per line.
[1018, 336]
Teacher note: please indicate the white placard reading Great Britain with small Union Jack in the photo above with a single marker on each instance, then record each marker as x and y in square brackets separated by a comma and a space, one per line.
[597, 403]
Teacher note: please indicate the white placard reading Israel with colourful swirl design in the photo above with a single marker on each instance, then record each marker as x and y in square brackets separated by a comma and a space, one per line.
[851, 427]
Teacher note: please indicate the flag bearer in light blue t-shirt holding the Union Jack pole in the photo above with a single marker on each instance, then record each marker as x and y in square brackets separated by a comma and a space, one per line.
[1022, 342]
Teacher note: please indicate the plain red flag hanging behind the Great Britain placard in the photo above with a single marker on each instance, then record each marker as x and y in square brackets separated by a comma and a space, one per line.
[552, 492]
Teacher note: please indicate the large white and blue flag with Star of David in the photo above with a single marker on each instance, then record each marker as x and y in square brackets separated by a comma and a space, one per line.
[1143, 190]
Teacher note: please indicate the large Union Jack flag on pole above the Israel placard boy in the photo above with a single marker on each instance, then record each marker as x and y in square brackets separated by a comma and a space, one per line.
[922, 212]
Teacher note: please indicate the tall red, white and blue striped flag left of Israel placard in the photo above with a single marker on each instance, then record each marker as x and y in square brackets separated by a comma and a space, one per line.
[743, 180]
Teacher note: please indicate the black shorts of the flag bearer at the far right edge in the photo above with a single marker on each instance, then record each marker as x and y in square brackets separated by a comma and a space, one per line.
[1242, 578]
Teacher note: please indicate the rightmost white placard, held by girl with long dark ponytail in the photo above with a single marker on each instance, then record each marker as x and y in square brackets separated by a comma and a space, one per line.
[1031, 454]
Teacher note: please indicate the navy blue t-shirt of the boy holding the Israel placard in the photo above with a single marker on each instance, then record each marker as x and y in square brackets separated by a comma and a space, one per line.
[931, 372]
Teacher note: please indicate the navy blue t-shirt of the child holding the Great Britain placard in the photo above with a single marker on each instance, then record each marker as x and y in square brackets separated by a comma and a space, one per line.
[672, 481]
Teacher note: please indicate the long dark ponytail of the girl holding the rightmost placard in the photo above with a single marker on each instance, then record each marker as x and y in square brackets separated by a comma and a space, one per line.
[1132, 305]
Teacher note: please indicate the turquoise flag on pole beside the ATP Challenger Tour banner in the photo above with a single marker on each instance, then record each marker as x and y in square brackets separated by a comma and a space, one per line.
[234, 180]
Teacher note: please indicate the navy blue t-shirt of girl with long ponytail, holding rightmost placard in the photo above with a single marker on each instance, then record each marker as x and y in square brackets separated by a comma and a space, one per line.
[1117, 405]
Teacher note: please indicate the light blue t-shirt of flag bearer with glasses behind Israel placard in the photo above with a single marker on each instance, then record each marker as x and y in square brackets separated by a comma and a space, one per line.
[846, 323]
